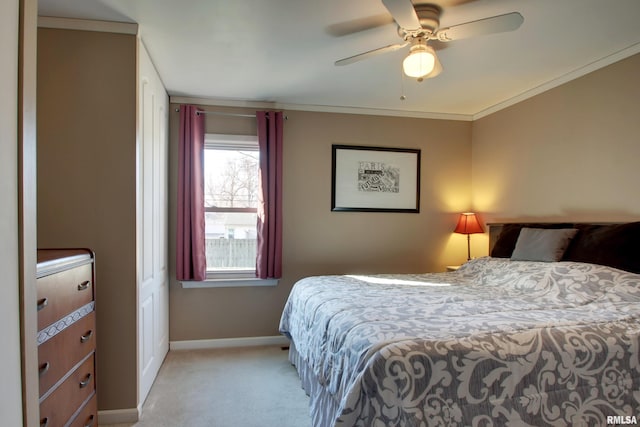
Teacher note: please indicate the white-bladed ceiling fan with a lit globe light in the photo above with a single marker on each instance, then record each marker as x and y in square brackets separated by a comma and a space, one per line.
[418, 24]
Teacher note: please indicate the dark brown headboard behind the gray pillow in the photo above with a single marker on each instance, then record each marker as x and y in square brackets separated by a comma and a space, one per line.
[612, 244]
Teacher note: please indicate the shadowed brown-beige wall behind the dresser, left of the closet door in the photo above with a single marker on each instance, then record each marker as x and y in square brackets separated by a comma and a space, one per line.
[87, 182]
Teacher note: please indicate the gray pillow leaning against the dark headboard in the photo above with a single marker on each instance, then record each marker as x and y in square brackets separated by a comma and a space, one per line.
[538, 244]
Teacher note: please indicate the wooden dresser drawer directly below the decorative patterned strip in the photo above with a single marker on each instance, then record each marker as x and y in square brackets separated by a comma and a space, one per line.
[59, 354]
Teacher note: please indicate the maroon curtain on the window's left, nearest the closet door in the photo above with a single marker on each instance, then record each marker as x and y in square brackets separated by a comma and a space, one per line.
[191, 261]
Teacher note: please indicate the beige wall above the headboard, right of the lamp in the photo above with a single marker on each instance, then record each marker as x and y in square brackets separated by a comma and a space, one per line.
[570, 153]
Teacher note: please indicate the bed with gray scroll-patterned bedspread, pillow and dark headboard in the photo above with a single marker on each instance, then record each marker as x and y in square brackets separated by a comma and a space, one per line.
[544, 332]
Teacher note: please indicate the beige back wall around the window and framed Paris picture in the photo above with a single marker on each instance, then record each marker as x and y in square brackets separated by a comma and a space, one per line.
[318, 241]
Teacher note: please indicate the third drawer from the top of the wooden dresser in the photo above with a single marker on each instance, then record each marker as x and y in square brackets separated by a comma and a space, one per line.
[58, 407]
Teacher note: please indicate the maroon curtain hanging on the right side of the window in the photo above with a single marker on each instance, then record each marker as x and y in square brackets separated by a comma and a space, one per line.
[269, 251]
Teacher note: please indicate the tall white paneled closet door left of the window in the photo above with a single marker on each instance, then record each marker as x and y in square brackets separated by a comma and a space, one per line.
[153, 280]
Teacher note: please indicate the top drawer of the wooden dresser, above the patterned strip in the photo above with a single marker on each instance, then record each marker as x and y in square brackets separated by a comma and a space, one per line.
[61, 293]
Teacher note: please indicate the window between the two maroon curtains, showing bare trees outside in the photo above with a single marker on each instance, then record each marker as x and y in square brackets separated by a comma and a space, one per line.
[231, 185]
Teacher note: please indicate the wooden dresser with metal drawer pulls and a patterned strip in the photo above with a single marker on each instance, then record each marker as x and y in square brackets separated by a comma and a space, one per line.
[67, 338]
